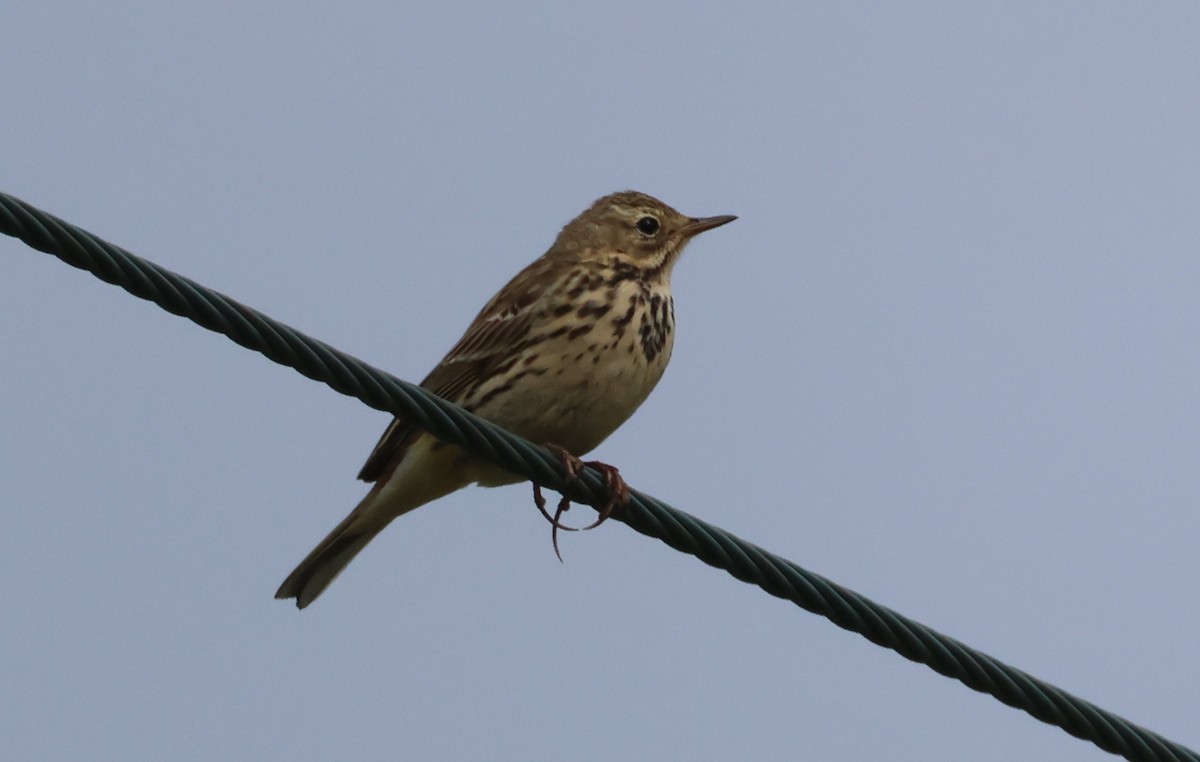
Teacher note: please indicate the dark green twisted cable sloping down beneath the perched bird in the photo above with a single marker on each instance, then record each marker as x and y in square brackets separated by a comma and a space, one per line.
[650, 517]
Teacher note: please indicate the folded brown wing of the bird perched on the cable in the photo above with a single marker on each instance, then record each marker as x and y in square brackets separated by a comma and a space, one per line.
[495, 334]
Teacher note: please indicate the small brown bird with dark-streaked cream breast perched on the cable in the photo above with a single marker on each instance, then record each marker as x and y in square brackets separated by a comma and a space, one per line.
[562, 356]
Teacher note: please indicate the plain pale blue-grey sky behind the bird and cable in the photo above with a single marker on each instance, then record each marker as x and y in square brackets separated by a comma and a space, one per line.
[946, 357]
